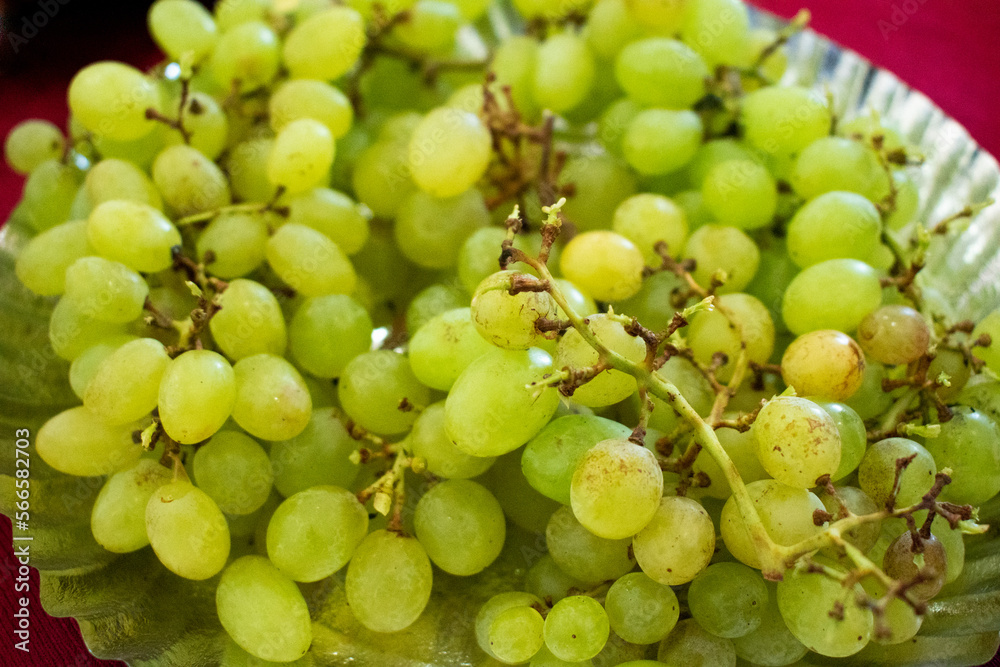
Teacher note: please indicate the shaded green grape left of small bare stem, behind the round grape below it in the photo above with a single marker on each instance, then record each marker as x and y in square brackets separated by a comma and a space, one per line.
[318, 456]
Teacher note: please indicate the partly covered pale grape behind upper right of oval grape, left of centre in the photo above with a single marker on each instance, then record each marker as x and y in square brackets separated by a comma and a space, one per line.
[335, 214]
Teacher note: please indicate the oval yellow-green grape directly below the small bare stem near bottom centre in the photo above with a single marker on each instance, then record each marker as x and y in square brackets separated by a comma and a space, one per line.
[388, 581]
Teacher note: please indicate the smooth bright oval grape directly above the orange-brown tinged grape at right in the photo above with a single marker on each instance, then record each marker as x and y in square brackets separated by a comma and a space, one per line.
[835, 294]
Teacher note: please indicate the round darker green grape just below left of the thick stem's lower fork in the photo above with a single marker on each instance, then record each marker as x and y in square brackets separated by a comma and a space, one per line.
[728, 599]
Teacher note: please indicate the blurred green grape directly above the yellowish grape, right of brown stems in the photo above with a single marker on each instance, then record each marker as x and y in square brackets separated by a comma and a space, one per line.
[602, 184]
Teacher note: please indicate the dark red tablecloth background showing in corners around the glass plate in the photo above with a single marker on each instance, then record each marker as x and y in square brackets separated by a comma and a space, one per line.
[945, 48]
